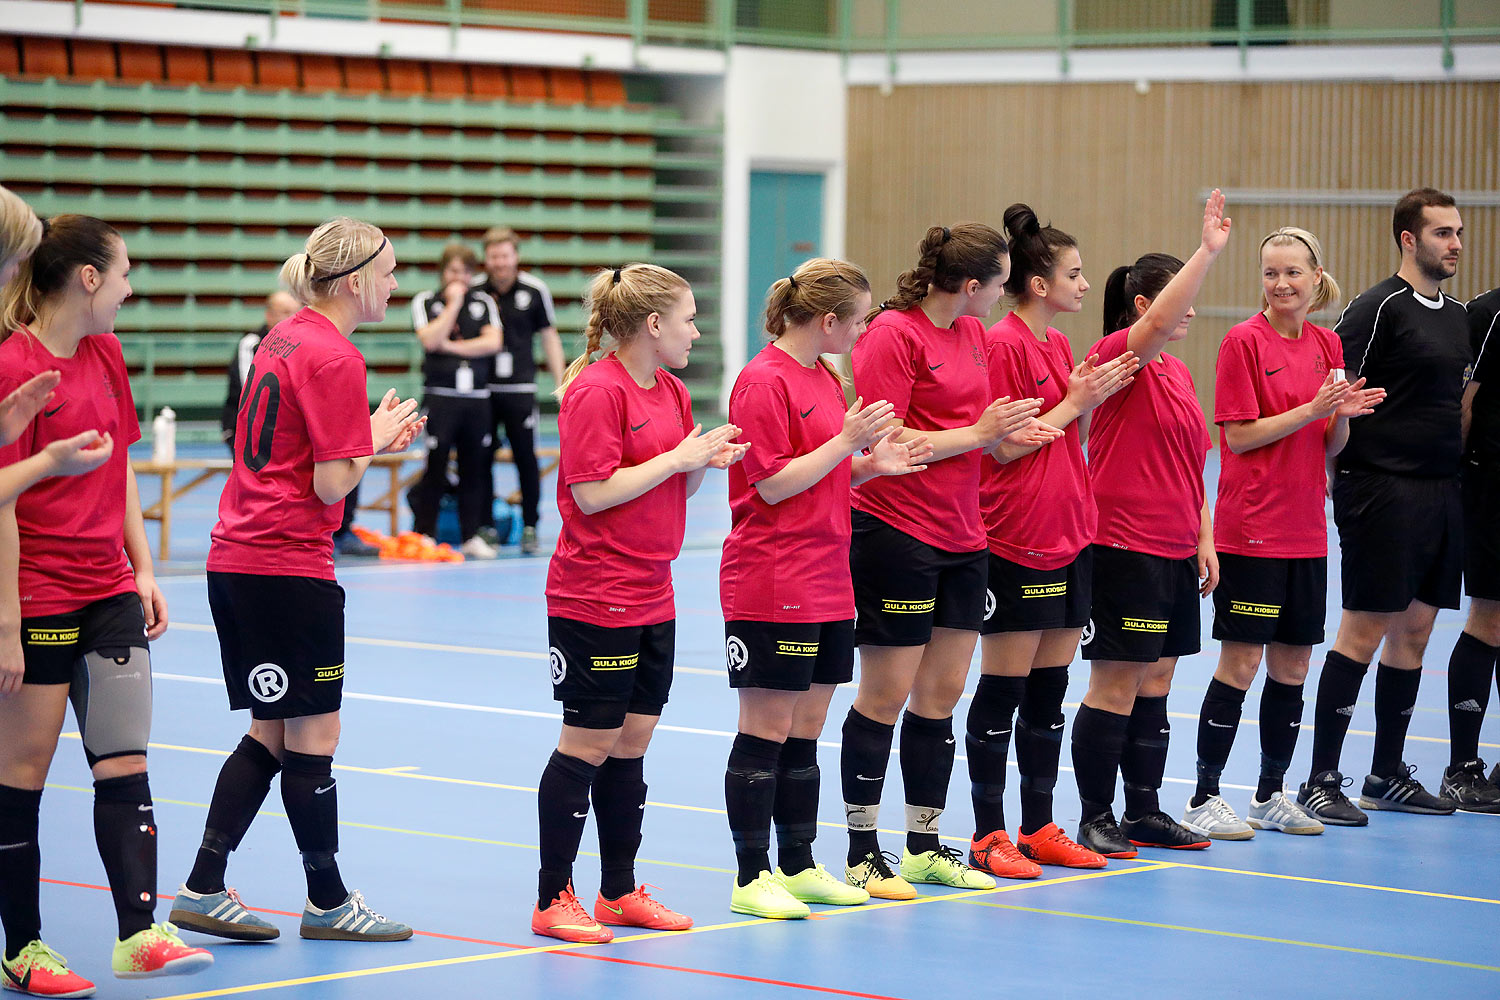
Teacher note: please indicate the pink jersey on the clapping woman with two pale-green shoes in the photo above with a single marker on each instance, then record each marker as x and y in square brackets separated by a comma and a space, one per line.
[790, 561]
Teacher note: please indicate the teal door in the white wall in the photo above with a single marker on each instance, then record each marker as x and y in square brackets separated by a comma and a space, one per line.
[787, 229]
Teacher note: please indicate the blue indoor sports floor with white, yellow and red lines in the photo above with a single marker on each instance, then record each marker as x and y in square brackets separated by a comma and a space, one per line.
[449, 720]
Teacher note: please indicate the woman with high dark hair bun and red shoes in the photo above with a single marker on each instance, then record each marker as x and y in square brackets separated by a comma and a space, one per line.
[1040, 521]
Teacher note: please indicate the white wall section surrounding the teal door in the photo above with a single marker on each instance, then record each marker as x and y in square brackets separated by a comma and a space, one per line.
[784, 110]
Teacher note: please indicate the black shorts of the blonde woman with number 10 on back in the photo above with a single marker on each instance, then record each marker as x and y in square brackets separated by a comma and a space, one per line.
[281, 639]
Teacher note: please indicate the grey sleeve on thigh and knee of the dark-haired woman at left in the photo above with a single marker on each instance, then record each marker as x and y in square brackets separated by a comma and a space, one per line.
[112, 695]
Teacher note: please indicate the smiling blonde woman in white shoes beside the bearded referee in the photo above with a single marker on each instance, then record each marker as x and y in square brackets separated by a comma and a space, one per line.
[1283, 409]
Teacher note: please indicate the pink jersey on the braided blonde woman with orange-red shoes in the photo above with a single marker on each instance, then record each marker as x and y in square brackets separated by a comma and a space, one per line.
[614, 569]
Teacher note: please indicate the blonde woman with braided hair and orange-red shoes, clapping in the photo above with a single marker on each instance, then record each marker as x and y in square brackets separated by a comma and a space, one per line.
[631, 460]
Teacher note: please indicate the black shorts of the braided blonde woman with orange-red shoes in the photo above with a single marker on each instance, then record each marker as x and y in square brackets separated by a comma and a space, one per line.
[602, 674]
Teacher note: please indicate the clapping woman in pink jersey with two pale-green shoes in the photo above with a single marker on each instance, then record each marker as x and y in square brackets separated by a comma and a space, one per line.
[785, 581]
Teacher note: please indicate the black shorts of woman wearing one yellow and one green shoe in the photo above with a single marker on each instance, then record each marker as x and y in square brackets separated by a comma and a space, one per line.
[904, 588]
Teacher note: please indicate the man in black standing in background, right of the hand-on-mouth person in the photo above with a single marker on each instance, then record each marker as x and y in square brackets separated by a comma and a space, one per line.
[526, 311]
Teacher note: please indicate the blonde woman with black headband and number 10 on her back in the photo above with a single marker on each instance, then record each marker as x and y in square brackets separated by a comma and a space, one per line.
[304, 439]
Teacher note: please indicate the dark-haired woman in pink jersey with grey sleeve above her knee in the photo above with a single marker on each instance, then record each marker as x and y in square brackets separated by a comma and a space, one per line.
[79, 606]
